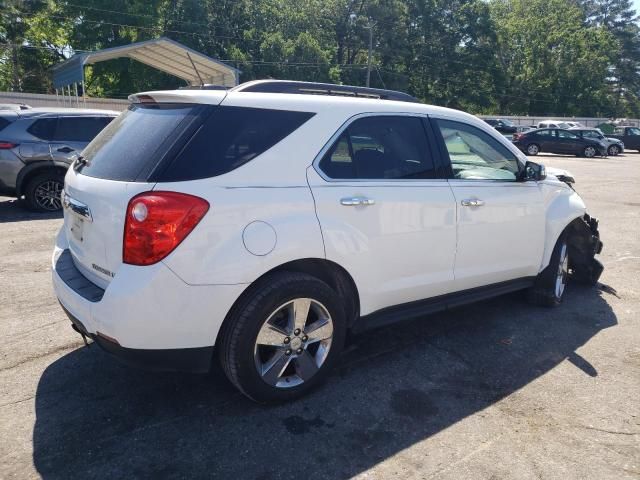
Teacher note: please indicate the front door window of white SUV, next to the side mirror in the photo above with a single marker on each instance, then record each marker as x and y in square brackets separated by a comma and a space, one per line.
[476, 155]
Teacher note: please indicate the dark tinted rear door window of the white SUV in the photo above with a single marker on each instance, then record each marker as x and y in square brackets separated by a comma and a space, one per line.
[380, 148]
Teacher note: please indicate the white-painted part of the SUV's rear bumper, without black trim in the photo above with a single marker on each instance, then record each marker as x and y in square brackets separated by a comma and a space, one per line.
[150, 307]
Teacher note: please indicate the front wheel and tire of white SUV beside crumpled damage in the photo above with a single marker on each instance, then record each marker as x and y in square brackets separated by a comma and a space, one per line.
[550, 284]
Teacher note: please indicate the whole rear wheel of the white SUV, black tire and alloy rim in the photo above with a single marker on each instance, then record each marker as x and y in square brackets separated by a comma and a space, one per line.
[282, 337]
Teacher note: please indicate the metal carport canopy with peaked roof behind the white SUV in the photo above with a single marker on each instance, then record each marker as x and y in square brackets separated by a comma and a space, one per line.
[162, 53]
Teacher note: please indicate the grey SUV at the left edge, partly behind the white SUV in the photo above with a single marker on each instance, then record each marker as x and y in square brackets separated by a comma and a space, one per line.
[38, 145]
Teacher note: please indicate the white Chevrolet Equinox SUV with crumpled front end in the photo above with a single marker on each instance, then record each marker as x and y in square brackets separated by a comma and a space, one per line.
[267, 221]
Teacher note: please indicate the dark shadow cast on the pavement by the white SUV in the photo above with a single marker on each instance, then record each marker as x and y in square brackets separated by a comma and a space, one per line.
[395, 387]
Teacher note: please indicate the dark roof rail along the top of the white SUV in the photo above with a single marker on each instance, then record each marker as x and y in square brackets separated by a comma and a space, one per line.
[313, 88]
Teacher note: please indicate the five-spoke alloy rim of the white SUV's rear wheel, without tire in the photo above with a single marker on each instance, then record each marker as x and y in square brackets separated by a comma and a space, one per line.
[293, 343]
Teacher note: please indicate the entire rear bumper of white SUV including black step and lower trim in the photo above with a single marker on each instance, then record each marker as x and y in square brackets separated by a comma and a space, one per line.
[146, 316]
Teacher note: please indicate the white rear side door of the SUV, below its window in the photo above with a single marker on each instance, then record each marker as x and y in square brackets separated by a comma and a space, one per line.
[398, 250]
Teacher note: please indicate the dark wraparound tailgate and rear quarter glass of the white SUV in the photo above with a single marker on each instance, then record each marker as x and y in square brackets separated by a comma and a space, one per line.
[178, 142]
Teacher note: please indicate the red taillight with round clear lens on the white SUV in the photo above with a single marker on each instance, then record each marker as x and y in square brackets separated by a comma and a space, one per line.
[157, 222]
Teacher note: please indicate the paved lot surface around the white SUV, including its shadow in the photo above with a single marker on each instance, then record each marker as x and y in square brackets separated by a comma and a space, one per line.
[498, 389]
